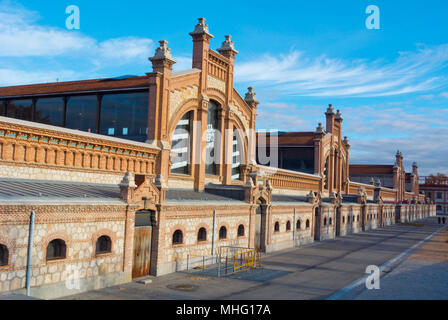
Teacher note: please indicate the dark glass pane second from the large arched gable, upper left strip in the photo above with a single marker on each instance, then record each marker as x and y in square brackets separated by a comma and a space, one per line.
[81, 113]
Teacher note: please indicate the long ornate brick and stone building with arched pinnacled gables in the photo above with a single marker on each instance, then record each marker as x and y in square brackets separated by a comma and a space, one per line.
[143, 175]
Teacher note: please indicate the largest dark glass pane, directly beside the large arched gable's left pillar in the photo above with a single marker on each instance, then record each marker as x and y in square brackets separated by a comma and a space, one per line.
[125, 115]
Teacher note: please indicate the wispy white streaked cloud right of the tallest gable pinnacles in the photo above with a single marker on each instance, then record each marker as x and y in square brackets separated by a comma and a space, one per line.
[296, 74]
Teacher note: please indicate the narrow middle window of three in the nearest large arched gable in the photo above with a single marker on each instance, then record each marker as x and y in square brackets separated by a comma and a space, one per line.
[212, 139]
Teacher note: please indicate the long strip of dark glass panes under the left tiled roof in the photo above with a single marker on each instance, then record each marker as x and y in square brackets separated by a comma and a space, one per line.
[123, 115]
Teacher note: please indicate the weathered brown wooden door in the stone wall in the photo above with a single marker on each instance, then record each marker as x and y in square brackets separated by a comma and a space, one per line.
[142, 252]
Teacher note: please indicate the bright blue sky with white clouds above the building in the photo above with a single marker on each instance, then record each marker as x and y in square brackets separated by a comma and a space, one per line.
[391, 84]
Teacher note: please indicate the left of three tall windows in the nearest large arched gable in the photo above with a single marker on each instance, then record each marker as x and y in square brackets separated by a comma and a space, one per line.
[181, 145]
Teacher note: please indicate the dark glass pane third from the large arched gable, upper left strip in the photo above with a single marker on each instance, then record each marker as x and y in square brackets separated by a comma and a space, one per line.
[50, 111]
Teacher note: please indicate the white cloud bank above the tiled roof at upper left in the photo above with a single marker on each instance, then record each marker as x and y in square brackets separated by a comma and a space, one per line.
[31, 46]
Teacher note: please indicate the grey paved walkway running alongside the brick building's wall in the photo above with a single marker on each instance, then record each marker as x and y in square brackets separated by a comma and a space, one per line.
[313, 272]
